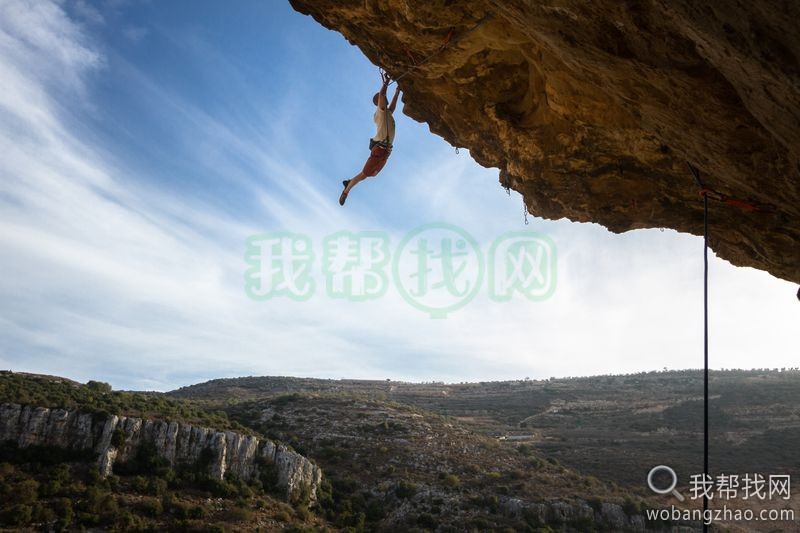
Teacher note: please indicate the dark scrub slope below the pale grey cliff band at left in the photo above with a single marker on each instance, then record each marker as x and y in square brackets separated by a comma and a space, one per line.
[67, 493]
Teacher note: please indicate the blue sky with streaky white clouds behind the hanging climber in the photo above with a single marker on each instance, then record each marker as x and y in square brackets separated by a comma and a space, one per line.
[143, 142]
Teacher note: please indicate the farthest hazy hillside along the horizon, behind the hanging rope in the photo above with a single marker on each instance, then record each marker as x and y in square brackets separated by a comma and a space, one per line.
[612, 427]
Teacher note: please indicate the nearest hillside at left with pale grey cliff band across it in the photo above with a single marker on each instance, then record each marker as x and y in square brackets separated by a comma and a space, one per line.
[69, 463]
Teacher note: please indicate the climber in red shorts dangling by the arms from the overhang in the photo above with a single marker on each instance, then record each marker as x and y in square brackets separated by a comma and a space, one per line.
[380, 145]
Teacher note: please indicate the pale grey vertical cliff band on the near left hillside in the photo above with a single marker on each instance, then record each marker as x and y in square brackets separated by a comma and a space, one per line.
[225, 451]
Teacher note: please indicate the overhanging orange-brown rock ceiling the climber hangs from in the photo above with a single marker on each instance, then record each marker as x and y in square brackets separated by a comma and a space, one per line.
[591, 109]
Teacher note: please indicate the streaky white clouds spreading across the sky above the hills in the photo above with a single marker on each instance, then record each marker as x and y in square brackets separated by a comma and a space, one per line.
[106, 275]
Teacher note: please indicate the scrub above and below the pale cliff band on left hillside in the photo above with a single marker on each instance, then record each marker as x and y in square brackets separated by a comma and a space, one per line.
[62, 490]
